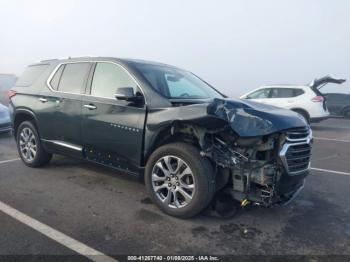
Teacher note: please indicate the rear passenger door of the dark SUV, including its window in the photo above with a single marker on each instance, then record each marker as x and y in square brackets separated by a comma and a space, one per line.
[67, 85]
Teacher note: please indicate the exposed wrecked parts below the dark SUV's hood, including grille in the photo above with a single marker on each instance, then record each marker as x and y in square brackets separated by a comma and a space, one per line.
[265, 170]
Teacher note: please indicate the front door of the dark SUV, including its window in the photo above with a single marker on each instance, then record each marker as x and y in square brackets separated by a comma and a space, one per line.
[112, 130]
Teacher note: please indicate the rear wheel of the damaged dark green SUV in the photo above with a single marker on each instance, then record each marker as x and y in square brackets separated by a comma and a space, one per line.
[29, 146]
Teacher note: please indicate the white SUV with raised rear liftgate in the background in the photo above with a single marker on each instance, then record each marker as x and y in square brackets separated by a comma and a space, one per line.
[306, 100]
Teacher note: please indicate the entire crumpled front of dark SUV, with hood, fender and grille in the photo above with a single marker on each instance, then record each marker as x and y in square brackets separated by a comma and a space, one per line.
[261, 153]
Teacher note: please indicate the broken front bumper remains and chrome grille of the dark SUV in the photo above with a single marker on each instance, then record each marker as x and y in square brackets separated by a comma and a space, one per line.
[281, 182]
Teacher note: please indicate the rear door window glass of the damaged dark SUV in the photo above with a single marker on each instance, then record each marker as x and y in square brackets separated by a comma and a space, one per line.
[73, 77]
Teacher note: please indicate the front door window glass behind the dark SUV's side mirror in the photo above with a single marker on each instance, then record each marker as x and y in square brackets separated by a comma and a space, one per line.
[108, 78]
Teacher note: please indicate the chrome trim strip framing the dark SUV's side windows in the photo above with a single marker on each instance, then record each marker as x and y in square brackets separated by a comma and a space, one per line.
[91, 61]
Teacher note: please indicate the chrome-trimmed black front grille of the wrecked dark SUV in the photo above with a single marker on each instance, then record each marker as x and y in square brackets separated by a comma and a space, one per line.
[296, 152]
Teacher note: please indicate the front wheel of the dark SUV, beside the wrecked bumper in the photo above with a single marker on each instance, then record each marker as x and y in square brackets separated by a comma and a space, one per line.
[179, 180]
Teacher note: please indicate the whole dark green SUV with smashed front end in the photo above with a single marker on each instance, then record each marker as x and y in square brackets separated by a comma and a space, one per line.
[145, 118]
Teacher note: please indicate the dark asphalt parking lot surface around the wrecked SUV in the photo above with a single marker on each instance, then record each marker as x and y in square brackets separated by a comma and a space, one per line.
[110, 212]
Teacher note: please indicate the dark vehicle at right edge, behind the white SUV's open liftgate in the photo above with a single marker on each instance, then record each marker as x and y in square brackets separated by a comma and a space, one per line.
[338, 104]
